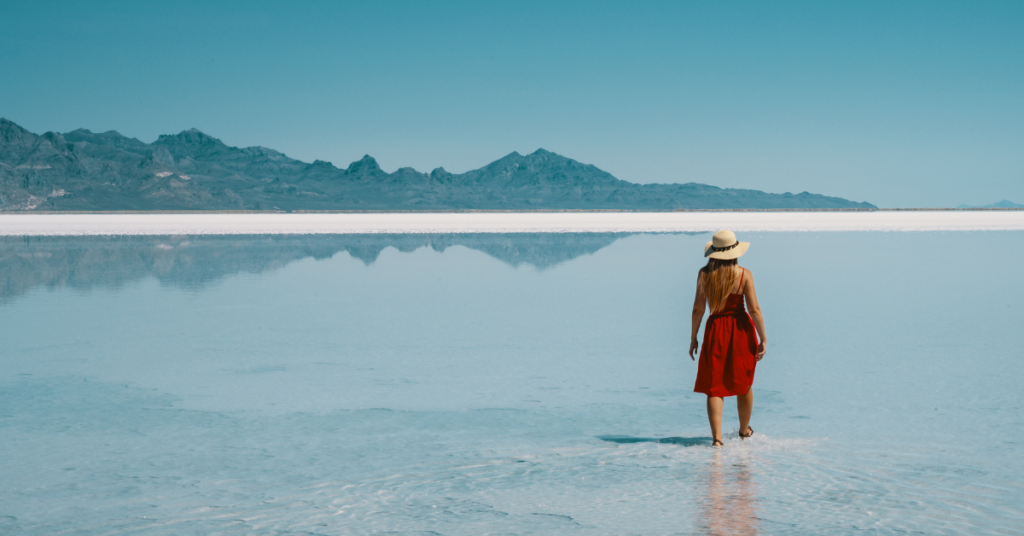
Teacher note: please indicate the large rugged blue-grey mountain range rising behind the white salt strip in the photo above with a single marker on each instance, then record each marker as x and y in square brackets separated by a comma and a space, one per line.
[84, 171]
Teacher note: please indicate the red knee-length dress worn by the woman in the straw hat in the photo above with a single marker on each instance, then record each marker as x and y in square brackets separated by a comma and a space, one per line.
[729, 356]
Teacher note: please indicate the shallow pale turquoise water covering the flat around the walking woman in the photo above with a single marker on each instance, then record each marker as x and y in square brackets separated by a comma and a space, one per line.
[503, 385]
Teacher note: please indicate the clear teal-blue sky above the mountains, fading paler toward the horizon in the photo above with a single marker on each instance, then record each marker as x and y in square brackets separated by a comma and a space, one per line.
[899, 104]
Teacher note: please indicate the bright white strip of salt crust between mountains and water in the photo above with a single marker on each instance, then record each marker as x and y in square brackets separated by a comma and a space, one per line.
[414, 223]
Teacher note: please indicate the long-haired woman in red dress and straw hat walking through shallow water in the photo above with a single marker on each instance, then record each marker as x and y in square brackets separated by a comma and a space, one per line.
[731, 348]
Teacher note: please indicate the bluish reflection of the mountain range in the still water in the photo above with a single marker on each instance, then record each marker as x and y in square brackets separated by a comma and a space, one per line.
[193, 262]
